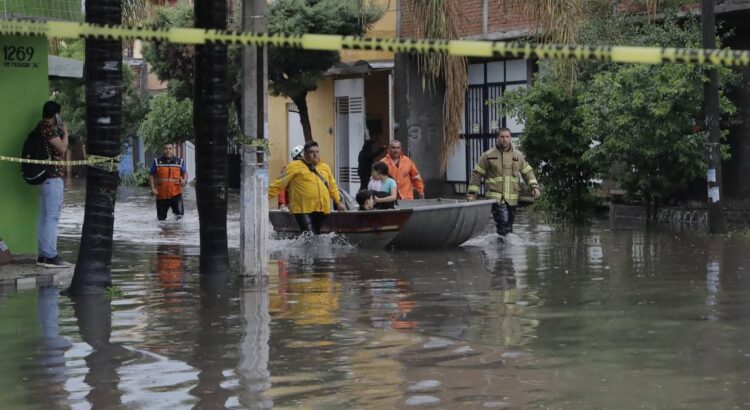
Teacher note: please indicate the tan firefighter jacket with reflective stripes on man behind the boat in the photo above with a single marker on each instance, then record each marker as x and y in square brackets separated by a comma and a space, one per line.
[500, 171]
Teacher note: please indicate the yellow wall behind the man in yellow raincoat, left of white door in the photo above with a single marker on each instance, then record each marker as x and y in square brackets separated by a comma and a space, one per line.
[320, 106]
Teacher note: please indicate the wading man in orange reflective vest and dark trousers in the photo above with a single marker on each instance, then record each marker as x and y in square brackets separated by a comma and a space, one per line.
[167, 177]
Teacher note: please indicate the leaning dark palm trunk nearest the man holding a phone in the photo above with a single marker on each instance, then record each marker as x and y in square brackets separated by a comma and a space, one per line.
[103, 73]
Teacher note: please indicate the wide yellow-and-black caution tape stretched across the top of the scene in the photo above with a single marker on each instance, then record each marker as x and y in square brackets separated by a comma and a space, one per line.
[621, 54]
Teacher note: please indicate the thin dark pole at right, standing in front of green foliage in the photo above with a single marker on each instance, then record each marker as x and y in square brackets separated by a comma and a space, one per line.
[711, 110]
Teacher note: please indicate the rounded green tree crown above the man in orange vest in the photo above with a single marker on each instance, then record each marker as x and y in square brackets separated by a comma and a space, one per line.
[168, 120]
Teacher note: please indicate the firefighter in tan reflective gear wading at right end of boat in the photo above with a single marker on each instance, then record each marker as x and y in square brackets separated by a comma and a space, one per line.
[500, 167]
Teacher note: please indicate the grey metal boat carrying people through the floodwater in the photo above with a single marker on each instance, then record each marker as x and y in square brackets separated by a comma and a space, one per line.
[425, 223]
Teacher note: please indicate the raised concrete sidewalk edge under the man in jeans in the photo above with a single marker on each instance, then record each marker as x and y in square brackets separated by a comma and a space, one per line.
[23, 273]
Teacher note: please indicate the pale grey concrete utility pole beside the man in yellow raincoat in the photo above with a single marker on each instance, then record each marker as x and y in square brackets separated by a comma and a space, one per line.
[254, 189]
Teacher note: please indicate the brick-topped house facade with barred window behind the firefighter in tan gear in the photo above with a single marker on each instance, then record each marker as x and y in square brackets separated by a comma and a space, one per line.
[418, 115]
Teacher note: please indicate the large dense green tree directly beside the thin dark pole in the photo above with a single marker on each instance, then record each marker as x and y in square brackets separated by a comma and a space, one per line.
[647, 118]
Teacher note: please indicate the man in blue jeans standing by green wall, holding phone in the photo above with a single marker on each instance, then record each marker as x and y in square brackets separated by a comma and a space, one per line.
[55, 134]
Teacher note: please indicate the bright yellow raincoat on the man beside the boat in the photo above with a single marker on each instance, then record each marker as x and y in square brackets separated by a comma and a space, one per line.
[307, 192]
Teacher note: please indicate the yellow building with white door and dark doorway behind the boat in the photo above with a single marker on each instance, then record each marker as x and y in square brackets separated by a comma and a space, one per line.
[355, 94]
